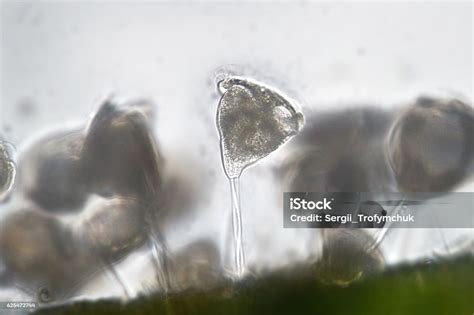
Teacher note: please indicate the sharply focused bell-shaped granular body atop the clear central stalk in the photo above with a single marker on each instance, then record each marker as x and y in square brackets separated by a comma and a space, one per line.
[253, 121]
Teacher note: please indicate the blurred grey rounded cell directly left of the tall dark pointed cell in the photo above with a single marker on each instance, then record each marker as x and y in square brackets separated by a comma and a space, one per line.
[50, 172]
